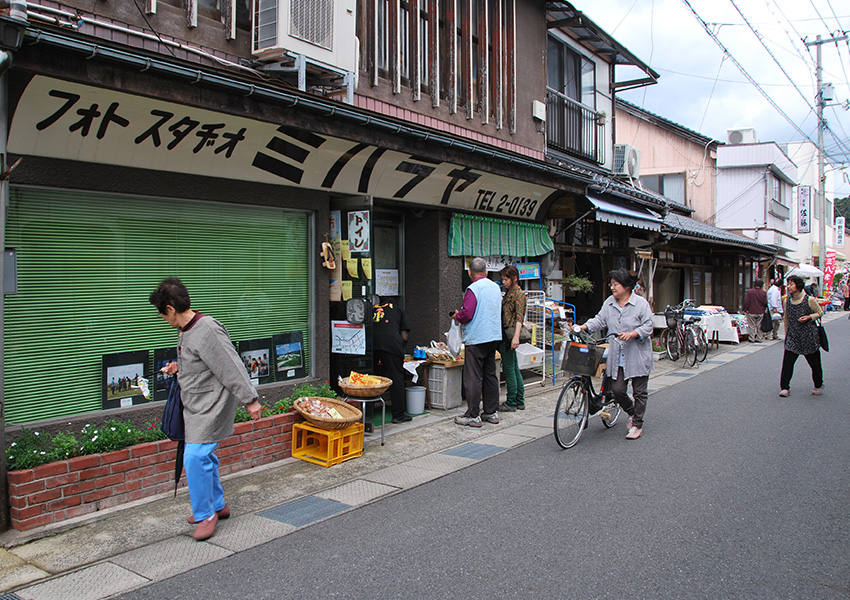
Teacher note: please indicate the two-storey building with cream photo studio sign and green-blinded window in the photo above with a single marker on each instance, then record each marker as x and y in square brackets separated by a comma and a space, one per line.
[224, 142]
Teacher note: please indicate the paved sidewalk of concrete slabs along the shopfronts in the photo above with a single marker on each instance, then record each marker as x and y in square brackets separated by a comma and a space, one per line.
[130, 546]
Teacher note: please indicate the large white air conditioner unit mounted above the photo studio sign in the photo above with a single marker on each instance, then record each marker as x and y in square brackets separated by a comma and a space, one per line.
[321, 30]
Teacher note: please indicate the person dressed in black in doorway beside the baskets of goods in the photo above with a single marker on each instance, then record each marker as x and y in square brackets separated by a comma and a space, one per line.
[389, 335]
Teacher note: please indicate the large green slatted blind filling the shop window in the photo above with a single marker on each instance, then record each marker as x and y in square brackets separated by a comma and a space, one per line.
[87, 263]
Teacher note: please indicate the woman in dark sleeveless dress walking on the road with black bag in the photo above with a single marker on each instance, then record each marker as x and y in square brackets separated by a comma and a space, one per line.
[801, 336]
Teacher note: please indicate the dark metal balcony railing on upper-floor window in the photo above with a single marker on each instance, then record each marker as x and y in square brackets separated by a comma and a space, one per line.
[573, 128]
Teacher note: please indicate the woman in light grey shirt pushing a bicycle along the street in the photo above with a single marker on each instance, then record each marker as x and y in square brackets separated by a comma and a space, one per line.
[630, 357]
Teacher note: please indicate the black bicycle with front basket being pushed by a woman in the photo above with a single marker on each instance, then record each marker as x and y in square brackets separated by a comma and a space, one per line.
[578, 400]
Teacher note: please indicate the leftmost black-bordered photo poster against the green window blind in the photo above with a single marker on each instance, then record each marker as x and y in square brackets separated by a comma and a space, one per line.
[125, 379]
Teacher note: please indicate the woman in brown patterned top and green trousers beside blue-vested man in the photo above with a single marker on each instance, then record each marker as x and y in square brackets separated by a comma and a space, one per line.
[513, 313]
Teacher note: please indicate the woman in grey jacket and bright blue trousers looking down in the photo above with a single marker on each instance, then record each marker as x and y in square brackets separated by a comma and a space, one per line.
[213, 383]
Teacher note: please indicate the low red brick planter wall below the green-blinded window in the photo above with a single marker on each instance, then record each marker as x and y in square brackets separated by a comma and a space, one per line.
[62, 490]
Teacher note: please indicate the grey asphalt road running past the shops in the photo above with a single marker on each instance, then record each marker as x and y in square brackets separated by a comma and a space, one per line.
[733, 492]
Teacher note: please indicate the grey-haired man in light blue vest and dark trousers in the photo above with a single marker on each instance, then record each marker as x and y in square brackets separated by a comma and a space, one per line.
[481, 318]
